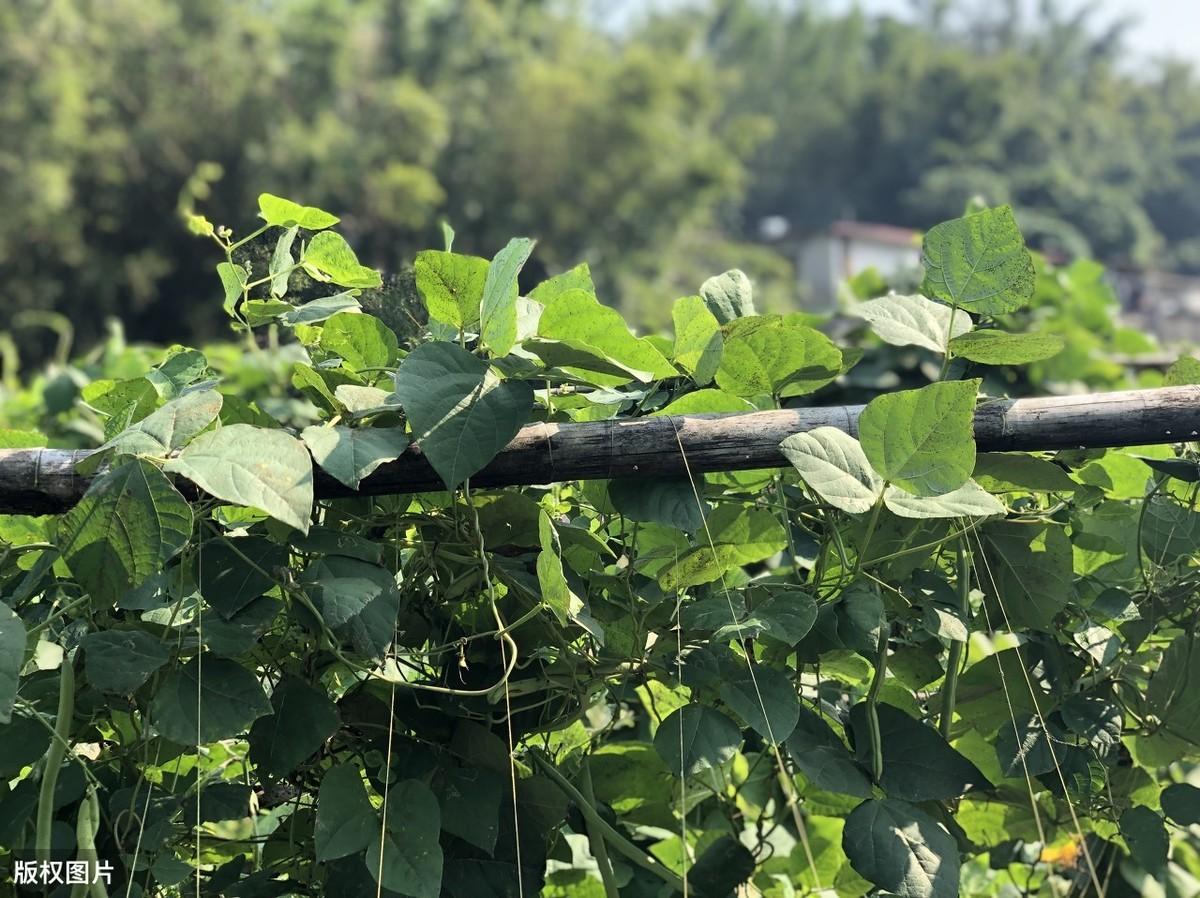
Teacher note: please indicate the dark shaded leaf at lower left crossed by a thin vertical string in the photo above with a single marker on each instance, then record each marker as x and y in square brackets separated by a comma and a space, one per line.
[206, 701]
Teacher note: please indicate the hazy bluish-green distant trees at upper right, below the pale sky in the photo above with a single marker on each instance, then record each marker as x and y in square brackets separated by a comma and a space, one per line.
[904, 122]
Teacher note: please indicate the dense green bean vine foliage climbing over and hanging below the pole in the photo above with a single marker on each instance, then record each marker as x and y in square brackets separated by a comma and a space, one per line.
[899, 668]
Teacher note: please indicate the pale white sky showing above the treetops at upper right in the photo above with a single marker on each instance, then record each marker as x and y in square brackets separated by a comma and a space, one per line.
[1163, 27]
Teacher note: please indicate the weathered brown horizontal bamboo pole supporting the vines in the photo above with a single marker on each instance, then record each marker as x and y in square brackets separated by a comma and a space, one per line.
[45, 481]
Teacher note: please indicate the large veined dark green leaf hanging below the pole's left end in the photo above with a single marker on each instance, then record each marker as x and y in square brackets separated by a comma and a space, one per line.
[128, 526]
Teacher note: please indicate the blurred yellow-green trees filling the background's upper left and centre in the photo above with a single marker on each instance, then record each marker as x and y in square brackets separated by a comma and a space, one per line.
[503, 117]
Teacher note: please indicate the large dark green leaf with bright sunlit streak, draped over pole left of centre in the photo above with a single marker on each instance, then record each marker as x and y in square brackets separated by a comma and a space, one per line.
[461, 414]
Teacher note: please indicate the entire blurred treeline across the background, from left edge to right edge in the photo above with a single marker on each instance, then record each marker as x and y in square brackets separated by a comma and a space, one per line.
[659, 141]
